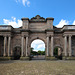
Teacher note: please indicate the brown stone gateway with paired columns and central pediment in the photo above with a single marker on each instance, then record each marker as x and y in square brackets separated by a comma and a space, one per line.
[16, 42]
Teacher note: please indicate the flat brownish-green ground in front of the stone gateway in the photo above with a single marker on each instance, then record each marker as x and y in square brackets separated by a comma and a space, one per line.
[37, 67]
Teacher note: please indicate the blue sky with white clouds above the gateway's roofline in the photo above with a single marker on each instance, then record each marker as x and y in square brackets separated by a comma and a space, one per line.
[11, 11]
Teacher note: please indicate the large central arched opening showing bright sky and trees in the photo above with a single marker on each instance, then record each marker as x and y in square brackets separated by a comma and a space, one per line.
[37, 51]
